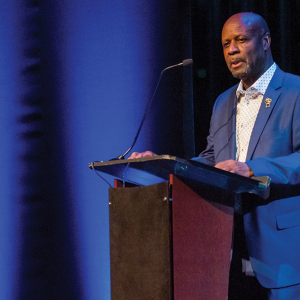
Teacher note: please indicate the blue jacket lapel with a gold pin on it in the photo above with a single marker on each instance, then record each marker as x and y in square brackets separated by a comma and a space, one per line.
[273, 92]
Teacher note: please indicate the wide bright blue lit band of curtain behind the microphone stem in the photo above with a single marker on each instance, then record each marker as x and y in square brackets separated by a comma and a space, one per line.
[106, 50]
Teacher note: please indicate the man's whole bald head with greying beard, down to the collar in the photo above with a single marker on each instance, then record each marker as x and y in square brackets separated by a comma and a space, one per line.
[246, 44]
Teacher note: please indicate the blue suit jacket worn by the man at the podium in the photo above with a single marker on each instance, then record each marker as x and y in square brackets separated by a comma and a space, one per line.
[272, 226]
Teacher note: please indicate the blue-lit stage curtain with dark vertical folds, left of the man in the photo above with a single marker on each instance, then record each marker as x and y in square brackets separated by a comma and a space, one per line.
[76, 77]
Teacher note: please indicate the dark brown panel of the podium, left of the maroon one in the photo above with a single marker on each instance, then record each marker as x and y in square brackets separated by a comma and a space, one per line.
[140, 230]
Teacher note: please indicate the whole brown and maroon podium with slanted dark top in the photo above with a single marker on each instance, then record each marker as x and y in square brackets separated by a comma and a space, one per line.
[171, 228]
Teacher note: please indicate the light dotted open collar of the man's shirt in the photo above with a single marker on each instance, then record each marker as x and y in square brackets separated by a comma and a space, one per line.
[260, 84]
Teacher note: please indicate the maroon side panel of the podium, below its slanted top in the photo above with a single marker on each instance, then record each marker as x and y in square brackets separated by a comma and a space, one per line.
[202, 236]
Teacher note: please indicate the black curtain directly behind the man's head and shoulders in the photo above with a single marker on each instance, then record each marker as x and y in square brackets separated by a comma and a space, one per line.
[211, 76]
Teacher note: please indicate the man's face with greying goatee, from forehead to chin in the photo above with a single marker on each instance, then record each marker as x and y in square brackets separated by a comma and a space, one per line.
[243, 48]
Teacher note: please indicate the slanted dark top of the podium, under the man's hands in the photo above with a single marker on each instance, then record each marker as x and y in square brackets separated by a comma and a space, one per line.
[152, 170]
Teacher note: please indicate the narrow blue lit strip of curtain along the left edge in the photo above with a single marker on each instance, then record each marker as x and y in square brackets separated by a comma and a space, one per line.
[9, 72]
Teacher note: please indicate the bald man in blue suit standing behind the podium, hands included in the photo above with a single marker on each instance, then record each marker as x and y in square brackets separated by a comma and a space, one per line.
[255, 130]
